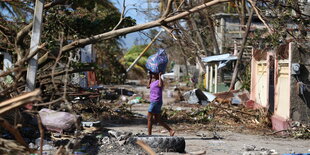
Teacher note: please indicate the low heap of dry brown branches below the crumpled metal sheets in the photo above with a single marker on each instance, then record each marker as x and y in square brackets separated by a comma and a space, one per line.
[224, 114]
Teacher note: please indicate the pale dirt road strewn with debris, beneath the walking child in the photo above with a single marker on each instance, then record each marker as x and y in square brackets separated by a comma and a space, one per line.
[232, 142]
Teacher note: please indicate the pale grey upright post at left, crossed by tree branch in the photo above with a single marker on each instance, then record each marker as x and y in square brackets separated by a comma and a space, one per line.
[35, 40]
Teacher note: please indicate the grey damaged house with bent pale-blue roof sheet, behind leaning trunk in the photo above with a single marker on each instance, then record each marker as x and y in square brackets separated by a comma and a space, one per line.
[228, 33]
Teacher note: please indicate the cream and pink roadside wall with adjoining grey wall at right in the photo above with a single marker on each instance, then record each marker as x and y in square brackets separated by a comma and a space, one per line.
[280, 82]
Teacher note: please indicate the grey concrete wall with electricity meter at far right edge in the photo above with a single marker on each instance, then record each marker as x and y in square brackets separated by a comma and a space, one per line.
[300, 85]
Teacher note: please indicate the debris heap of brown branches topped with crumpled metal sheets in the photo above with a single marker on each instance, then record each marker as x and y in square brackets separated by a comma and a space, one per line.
[228, 108]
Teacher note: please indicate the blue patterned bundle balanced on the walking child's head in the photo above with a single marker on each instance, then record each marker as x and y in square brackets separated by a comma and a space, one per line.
[157, 62]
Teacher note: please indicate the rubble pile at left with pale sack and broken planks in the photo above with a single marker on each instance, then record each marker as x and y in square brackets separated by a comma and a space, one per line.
[68, 121]
